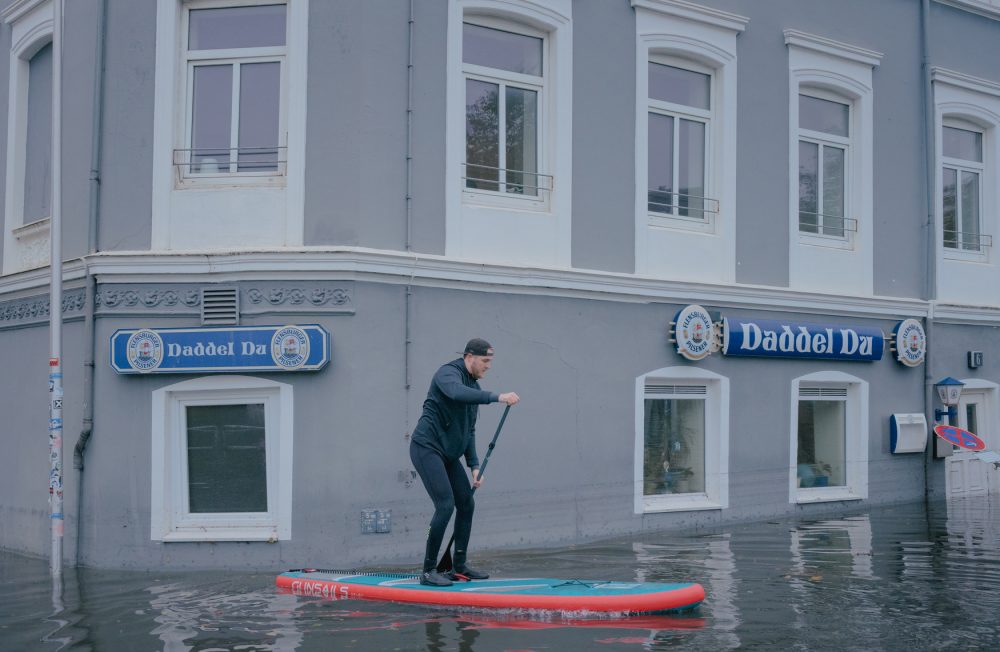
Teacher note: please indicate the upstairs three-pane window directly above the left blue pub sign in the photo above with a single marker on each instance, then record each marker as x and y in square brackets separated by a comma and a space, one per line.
[235, 58]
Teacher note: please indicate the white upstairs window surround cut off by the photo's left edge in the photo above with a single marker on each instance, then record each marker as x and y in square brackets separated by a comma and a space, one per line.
[25, 246]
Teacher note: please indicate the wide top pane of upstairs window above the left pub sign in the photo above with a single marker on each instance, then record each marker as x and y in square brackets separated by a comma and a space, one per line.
[237, 27]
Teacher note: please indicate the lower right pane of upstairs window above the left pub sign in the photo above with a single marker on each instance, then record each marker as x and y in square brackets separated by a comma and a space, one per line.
[260, 101]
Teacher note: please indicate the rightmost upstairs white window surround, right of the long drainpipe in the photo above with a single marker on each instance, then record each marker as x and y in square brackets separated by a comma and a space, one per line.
[961, 99]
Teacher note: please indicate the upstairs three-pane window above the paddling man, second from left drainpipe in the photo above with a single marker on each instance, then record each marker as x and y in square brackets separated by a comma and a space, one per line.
[504, 86]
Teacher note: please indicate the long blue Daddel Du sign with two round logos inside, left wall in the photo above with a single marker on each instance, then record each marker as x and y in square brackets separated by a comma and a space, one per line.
[197, 350]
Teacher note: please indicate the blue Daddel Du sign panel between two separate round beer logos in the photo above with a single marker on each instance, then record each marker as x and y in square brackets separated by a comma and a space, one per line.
[776, 339]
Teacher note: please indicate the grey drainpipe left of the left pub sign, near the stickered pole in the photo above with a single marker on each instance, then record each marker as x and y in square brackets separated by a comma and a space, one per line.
[97, 116]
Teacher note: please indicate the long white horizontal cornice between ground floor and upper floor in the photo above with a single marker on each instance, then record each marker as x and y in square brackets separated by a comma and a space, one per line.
[296, 266]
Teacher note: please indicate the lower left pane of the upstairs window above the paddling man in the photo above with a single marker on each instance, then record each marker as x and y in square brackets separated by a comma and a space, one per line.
[482, 135]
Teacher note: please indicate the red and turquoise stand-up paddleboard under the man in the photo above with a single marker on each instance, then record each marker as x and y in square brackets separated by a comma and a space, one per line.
[524, 593]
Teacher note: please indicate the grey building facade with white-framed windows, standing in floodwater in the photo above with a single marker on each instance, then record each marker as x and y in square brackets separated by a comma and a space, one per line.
[617, 194]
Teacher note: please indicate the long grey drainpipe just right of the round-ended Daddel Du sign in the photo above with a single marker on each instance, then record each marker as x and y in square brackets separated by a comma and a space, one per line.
[930, 239]
